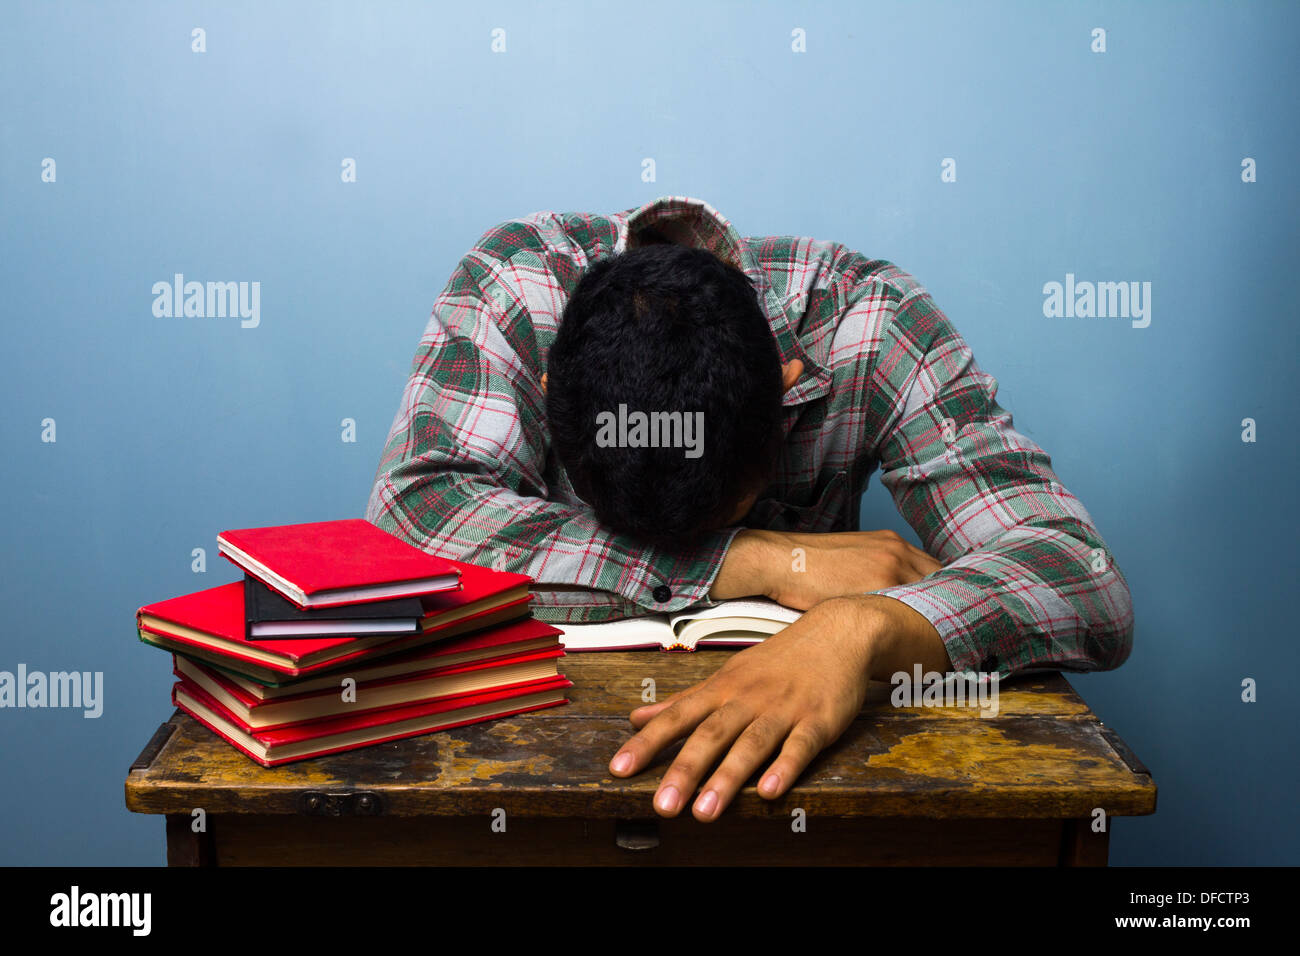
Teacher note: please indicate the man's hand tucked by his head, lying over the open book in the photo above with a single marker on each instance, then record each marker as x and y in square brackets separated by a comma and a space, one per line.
[803, 570]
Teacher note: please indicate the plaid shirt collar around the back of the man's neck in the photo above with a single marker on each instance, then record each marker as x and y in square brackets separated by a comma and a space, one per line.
[697, 224]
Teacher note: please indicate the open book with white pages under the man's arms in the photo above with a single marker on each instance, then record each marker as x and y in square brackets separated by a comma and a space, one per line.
[729, 625]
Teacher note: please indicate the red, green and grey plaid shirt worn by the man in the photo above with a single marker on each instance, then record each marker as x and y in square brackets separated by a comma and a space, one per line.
[469, 470]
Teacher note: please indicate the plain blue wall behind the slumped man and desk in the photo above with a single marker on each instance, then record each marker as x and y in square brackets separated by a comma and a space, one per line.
[226, 166]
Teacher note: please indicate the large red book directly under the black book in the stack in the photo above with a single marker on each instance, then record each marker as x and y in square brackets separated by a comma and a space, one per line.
[210, 625]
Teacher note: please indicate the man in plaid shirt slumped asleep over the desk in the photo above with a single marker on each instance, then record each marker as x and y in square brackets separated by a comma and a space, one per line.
[801, 367]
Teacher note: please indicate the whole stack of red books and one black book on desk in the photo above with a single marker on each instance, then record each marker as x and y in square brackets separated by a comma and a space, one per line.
[341, 637]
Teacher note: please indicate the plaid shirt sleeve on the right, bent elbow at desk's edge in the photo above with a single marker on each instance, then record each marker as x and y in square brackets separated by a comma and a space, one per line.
[1028, 581]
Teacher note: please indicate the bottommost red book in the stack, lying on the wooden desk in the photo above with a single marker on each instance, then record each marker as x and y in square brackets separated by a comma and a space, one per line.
[275, 747]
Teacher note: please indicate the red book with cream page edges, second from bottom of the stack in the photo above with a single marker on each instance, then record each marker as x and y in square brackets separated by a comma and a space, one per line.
[447, 684]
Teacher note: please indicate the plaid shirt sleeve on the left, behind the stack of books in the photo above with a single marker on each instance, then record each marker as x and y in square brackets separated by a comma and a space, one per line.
[463, 473]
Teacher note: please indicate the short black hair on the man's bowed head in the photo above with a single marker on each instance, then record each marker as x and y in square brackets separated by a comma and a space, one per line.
[666, 328]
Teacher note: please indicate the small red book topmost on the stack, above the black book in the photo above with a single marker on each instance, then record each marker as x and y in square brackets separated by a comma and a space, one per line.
[332, 564]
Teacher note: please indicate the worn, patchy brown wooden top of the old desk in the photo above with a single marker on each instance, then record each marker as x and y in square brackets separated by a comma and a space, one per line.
[1045, 755]
